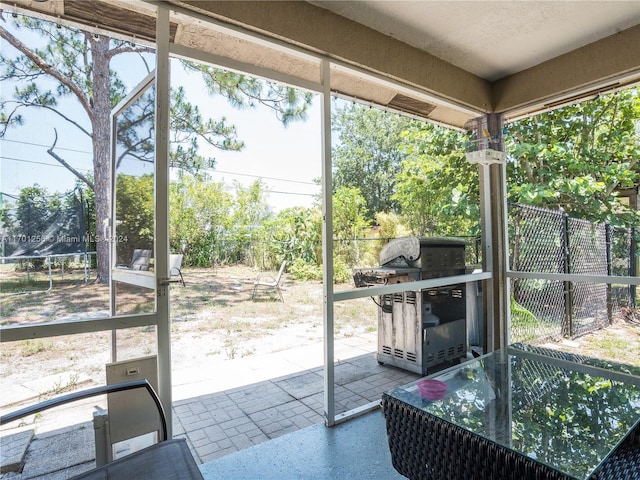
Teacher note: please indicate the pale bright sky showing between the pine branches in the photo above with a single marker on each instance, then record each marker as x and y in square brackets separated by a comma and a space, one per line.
[287, 159]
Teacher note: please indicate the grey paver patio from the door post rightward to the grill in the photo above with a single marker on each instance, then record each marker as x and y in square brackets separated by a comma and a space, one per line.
[237, 417]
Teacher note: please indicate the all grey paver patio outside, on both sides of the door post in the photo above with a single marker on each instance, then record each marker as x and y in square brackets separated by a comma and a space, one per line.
[232, 405]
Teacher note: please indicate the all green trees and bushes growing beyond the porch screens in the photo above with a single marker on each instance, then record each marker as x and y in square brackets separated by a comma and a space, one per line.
[392, 175]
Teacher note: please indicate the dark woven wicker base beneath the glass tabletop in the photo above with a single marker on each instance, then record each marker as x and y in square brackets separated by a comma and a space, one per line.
[427, 448]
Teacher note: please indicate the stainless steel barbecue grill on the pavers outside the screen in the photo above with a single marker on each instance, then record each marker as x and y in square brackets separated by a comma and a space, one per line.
[423, 328]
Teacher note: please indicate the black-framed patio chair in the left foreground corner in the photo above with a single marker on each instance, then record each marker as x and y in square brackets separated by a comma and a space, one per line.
[167, 459]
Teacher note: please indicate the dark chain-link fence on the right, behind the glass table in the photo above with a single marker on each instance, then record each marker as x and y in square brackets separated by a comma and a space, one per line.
[545, 241]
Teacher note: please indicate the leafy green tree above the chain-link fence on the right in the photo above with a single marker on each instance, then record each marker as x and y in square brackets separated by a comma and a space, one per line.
[576, 157]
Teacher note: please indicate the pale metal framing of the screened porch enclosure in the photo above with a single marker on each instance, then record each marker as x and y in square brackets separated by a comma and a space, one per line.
[496, 271]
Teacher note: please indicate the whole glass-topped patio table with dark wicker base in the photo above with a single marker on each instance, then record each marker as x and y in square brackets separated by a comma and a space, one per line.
[521, 413]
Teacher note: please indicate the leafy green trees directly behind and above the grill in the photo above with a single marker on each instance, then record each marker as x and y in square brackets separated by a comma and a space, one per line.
[407, 167]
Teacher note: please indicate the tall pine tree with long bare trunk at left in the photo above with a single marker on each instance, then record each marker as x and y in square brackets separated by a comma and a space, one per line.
[59, 62]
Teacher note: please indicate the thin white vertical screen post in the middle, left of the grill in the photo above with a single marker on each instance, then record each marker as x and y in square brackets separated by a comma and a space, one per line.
[327, 248]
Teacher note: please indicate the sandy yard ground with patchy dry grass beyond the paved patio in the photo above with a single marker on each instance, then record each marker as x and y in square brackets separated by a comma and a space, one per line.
[214, 319]
